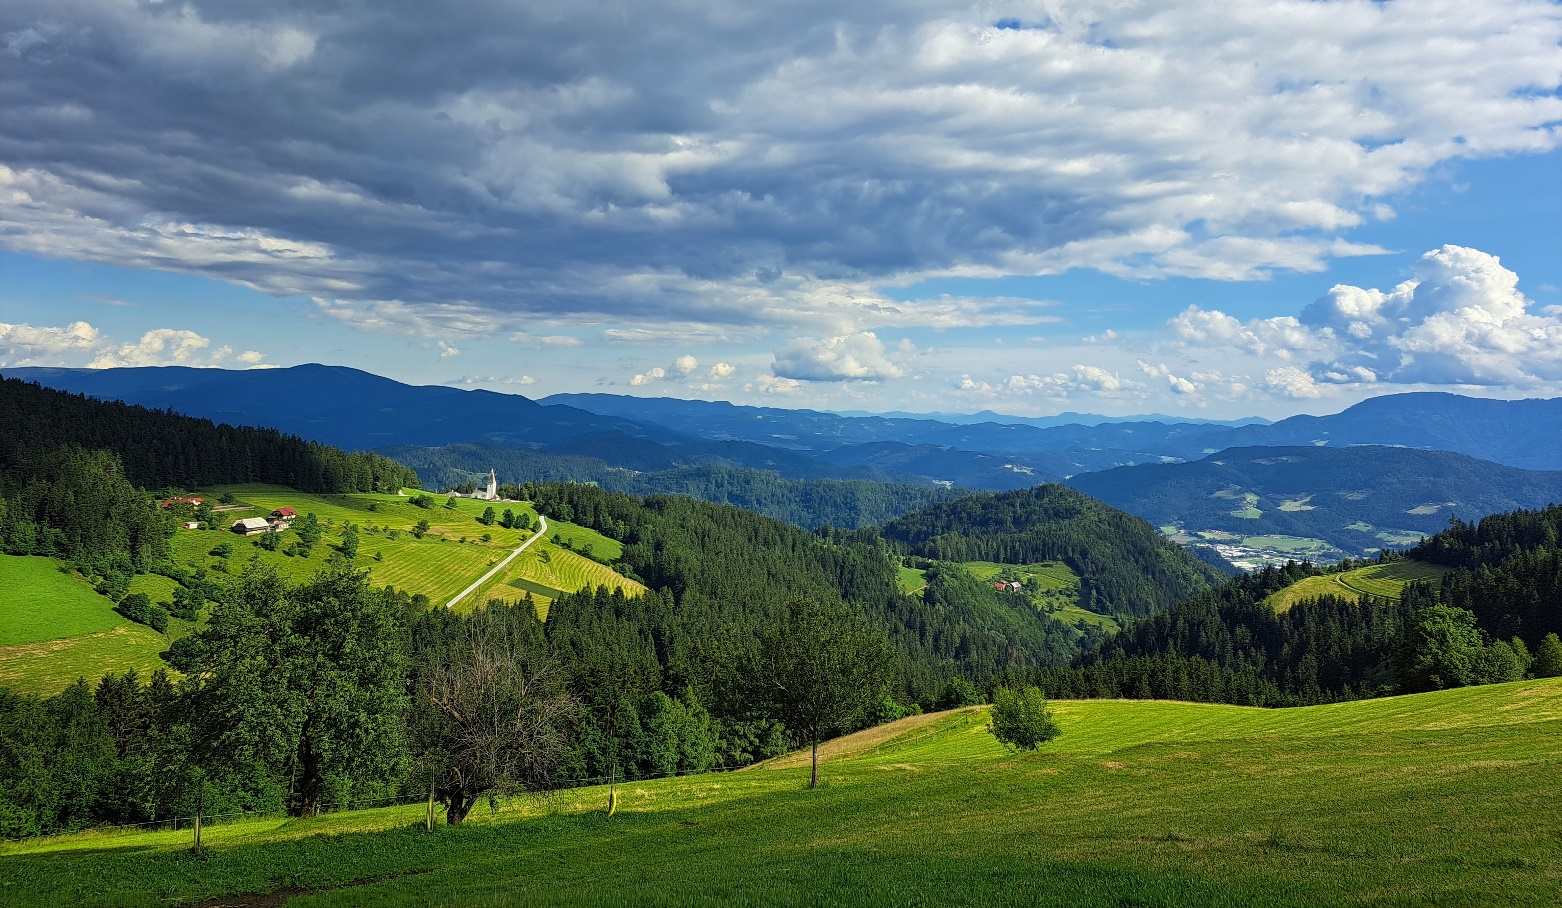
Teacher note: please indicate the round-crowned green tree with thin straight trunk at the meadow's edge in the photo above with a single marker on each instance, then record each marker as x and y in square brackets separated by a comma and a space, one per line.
[821, 671]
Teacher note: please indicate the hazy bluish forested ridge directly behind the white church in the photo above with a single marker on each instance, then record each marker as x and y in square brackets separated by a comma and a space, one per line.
[808, 504]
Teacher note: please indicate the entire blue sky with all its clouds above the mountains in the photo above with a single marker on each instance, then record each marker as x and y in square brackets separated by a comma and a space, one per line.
[1108, 207]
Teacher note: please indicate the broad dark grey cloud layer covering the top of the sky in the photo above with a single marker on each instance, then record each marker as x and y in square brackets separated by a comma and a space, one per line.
[736, 165]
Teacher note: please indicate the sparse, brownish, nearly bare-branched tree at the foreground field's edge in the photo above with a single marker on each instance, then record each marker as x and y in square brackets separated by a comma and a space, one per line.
[493, 710]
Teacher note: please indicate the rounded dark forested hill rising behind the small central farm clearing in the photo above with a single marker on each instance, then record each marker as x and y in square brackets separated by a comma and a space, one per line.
[1127, 570]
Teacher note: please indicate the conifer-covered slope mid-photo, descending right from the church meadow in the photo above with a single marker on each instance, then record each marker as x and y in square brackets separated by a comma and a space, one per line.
[730, 573]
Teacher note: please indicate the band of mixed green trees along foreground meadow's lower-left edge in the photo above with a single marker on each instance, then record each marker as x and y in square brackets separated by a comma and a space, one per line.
[330, 693]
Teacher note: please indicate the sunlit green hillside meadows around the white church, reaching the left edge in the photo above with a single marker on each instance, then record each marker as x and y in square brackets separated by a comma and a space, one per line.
[55, 629]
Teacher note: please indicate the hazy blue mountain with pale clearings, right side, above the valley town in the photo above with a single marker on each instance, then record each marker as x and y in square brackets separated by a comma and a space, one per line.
[1350, 498]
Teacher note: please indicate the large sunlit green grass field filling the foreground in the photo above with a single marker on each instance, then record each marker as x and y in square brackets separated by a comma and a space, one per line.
[1436, 799]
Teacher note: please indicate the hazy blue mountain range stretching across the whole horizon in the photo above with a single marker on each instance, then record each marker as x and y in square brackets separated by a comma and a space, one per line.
[1161, 470]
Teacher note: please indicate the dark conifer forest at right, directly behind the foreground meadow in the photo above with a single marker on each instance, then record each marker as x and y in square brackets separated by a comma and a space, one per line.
[1494, 618]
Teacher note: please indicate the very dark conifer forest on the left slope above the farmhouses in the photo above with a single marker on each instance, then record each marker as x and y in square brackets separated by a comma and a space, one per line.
[163, 449]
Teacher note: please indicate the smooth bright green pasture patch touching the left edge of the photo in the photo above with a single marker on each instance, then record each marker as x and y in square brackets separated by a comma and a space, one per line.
[43, 601]
